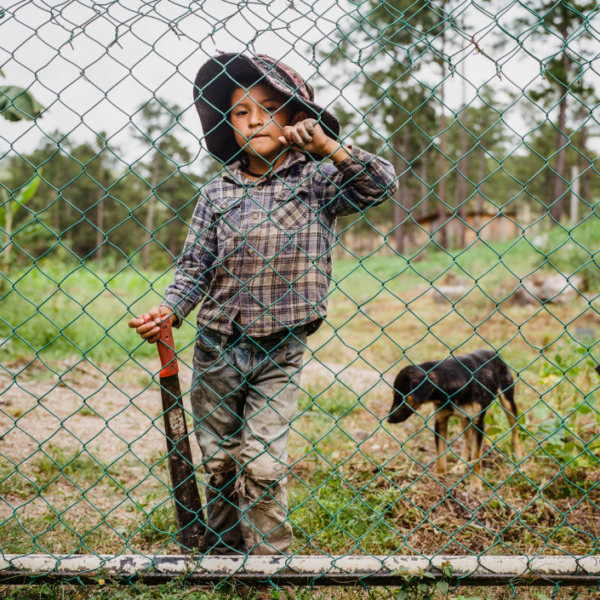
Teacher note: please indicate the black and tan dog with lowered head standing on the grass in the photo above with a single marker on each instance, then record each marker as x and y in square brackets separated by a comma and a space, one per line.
[463, 387]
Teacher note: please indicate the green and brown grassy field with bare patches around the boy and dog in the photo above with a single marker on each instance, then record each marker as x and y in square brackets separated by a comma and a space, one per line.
[82, 465]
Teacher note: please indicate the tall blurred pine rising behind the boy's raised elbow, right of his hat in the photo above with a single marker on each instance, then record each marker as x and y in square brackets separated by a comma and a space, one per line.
[393, 39]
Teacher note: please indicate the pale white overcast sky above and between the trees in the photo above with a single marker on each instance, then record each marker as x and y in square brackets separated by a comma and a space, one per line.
[90, 84]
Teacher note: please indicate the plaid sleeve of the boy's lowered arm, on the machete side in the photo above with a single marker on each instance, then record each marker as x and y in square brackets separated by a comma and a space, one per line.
[193, 271]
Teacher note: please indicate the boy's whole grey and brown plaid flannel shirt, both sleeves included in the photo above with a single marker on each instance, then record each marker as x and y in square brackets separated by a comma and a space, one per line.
[262, 251]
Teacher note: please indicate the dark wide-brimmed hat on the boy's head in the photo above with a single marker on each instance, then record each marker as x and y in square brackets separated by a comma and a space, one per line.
[216, 81]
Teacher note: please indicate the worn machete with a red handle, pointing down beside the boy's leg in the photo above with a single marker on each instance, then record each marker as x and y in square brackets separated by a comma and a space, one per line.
[188, 509]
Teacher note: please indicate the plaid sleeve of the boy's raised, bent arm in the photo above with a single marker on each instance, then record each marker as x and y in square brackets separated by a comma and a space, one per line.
[360, 181]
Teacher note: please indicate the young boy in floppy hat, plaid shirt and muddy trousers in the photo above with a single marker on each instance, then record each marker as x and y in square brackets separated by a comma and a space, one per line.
[259, 258]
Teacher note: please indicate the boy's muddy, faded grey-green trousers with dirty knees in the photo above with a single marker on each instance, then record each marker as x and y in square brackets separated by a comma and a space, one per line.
[244, 397]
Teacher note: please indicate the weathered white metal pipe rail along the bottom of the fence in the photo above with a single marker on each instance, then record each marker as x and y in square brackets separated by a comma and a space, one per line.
[308, 570]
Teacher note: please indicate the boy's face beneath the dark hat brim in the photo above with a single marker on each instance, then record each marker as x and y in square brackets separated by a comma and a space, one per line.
[258, 117]
